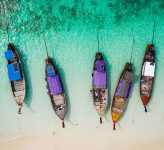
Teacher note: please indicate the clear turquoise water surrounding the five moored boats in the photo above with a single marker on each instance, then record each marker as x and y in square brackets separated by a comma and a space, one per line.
[70, 31]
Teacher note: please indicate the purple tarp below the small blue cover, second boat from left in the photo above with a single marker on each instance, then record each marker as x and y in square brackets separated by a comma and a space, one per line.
[54, 85]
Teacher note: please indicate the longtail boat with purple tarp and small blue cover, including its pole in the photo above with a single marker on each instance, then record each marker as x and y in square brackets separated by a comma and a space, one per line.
[55, 88]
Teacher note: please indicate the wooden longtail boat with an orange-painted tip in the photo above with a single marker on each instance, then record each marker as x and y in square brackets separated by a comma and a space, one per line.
[122, 92]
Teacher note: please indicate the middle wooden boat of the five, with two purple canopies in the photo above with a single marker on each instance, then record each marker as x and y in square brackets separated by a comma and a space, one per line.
[99, 85]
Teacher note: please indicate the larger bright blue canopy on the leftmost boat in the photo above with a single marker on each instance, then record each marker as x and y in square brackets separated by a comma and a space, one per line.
[14, 71]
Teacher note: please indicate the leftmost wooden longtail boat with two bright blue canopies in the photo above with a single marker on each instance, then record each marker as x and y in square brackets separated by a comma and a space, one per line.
[16, 75]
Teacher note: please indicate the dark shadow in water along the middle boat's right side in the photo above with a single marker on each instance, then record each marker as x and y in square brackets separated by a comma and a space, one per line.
[109, 68]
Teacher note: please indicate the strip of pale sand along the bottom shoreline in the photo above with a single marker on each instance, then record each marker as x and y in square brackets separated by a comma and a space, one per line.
[89, 143]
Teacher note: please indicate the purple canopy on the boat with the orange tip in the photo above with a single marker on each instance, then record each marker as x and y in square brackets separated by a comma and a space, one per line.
[123, 88]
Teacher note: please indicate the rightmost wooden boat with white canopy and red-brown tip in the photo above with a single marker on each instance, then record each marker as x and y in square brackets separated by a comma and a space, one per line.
[147, 75]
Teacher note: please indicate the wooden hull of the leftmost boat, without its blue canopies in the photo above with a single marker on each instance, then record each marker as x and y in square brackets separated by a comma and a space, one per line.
[19, 86]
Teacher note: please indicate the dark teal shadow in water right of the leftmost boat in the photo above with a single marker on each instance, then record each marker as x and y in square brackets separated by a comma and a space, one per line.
[29, 93]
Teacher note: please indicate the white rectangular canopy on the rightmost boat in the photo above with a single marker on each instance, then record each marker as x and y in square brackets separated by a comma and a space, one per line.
[148, 69]
